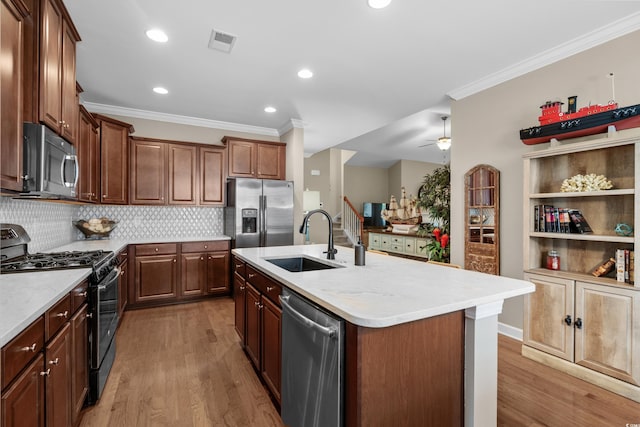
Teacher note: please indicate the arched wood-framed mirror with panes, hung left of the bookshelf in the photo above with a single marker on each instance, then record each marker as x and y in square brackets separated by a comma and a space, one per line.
[482, 219]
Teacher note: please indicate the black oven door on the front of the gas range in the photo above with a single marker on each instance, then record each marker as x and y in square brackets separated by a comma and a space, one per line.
[104, 322]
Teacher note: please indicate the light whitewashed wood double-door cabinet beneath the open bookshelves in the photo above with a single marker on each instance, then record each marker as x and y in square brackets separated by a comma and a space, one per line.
[592, 325]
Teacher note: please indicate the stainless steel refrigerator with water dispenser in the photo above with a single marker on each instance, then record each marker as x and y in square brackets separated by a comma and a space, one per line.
[259, 212]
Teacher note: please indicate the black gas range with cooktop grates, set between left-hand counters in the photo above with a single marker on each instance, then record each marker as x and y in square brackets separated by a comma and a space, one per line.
[103, 293]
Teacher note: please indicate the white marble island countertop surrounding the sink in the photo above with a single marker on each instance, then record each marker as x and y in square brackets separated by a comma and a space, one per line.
[387, 290]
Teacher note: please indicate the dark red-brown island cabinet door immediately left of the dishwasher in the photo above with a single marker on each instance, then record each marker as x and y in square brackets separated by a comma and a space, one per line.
[271, 352]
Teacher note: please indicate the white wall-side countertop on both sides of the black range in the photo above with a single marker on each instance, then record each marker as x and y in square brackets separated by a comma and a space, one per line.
[26, 296]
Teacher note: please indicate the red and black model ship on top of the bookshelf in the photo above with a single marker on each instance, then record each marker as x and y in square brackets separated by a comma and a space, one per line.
[590, 120]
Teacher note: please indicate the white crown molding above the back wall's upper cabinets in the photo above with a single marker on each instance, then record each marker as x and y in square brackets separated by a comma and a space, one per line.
[174, 118]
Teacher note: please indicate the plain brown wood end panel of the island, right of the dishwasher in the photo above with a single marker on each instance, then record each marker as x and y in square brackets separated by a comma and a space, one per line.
[410, 374]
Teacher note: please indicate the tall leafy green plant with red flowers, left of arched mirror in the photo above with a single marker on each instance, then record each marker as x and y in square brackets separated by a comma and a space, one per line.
[434, 198]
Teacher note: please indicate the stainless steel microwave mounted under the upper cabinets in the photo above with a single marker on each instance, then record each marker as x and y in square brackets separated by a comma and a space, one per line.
[50, 164]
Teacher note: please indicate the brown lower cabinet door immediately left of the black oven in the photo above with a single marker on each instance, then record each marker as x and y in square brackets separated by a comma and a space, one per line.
[79, 362]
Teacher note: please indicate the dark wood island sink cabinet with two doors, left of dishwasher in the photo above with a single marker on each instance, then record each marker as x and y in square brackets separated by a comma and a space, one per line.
[263, 329]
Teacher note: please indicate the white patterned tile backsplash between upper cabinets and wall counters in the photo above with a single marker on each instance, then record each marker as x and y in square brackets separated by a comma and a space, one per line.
[49, 224]
